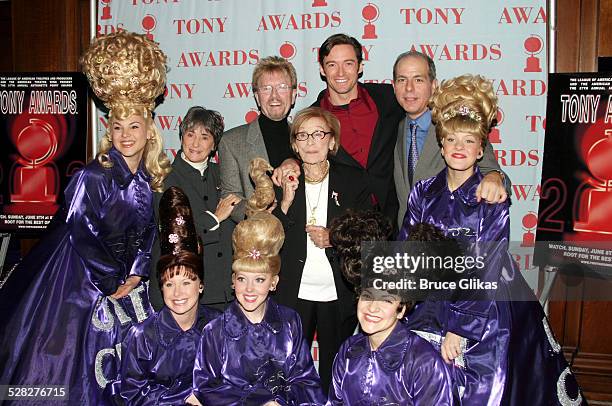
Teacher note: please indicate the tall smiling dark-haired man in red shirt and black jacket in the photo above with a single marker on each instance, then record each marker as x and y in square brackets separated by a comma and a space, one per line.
[368, 114]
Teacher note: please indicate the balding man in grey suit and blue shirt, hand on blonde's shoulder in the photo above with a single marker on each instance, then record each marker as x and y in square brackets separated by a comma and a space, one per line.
[414, 81]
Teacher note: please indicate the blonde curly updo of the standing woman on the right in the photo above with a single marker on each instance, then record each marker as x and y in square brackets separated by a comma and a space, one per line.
[467, 104]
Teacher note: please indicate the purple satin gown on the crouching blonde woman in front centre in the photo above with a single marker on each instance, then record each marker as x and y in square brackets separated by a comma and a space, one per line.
[241, 363]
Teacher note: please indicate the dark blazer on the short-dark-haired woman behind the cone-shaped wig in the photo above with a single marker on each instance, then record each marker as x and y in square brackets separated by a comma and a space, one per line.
[203, 193]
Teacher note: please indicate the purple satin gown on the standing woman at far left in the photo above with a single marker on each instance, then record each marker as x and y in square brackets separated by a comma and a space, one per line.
[62, 328]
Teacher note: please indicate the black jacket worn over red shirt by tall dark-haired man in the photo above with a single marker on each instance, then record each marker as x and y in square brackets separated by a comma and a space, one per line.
[379, 170]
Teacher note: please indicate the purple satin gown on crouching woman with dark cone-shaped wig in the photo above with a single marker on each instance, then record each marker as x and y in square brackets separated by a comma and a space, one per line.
[157, 360]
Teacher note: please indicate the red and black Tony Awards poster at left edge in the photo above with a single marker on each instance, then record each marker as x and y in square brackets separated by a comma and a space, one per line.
[43, 124]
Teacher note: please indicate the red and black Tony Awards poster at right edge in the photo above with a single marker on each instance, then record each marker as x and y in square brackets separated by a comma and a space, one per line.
[574, 220]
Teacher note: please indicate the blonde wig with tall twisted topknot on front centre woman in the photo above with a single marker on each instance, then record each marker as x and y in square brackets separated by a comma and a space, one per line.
[258, 239]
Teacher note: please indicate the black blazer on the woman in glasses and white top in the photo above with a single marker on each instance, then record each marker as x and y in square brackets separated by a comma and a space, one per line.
[350, 192]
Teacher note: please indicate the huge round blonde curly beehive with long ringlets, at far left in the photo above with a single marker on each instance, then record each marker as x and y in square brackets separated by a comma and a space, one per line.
[127, 72]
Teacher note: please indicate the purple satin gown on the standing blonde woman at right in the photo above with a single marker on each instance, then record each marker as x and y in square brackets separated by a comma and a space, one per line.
[511, 356]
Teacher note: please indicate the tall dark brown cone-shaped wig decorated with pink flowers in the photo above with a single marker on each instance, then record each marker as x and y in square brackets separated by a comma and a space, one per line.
[178, 239]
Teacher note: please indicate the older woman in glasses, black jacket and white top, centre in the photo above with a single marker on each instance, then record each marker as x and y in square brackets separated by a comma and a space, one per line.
[310, 281]
